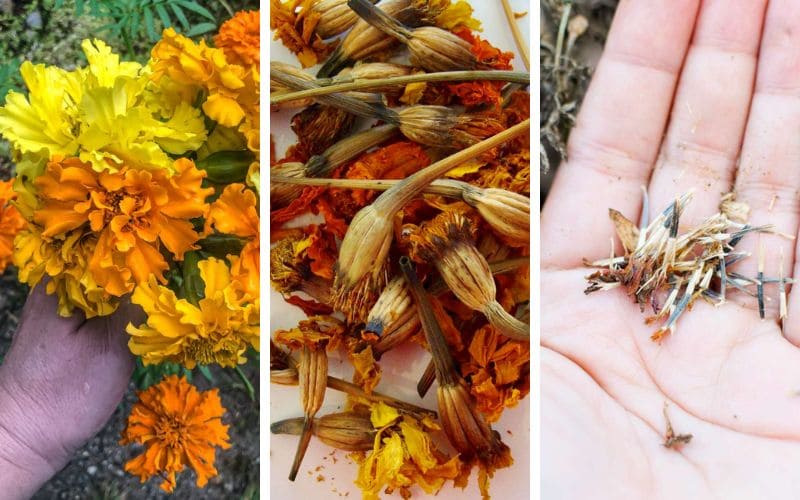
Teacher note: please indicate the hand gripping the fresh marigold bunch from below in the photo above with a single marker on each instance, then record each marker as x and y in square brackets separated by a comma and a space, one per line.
[59, 383]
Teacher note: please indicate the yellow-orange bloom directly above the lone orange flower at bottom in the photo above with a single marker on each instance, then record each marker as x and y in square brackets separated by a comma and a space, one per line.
[216, 330]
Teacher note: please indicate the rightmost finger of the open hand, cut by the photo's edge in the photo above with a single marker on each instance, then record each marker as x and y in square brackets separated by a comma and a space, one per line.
[768, 179]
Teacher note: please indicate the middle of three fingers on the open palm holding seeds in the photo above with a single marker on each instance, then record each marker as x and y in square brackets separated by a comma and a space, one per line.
[709, 114]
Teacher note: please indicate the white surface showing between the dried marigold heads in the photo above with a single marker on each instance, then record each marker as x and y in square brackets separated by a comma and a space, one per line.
[402, 367]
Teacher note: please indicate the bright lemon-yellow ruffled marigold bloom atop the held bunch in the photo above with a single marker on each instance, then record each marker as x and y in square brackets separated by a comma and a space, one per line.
[107, 113]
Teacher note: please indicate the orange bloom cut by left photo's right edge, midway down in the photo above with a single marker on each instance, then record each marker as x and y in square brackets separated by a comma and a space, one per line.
[236, 212]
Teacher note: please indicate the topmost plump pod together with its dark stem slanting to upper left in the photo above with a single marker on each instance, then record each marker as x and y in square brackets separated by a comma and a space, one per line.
[431, 48]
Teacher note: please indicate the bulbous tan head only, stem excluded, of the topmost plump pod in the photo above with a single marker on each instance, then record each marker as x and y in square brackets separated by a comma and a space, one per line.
[435, 49]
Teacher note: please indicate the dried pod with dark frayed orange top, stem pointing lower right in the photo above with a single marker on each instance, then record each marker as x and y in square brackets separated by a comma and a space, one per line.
[447, 241]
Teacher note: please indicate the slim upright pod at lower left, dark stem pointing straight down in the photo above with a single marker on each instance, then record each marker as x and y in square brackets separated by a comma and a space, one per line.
[313, 379]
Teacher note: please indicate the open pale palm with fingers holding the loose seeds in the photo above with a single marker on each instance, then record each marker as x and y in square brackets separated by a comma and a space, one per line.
[684, 90]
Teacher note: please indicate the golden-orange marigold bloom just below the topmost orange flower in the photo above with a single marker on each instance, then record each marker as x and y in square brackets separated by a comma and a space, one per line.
[232, 89]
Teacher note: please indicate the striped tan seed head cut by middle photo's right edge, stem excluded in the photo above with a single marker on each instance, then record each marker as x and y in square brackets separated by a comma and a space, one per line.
[507, 212]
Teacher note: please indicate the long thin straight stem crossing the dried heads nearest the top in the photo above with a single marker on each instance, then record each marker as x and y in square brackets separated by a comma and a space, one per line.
[363, 84]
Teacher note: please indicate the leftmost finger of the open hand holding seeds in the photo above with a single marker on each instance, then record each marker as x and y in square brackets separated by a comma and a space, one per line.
[615, 141]
